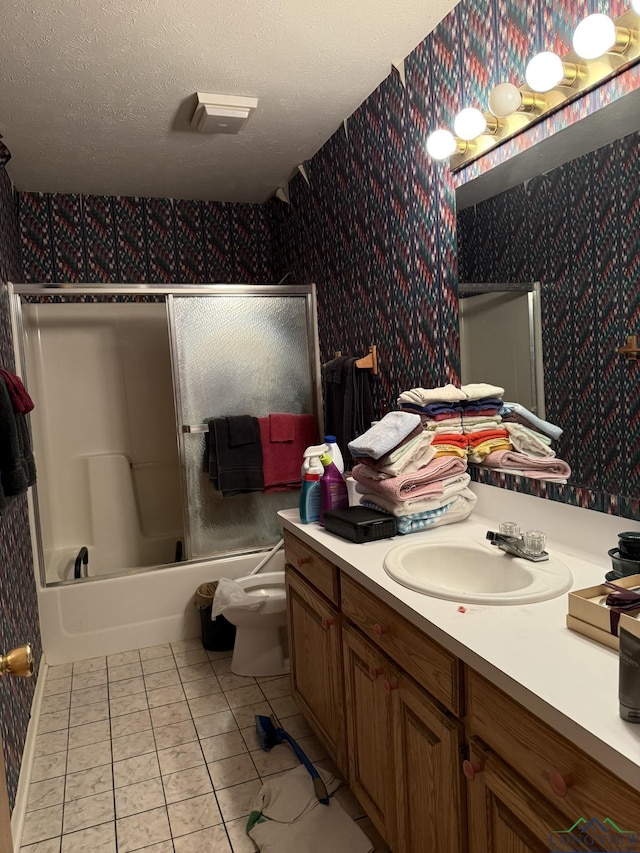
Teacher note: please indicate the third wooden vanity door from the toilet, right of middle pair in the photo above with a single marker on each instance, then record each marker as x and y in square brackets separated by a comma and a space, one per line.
[429, 791]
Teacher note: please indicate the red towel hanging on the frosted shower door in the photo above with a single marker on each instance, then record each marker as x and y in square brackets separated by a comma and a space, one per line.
[282, 459]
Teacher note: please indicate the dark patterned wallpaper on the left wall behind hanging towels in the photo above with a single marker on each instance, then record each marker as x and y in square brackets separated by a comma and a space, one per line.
[19, 614]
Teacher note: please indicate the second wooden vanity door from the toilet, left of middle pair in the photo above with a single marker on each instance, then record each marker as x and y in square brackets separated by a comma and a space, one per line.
[368, 683]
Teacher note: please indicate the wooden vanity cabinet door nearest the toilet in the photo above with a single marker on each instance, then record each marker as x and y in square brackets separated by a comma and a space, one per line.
[316, 664]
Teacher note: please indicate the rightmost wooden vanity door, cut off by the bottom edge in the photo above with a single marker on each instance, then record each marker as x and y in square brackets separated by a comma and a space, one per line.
[505, 814]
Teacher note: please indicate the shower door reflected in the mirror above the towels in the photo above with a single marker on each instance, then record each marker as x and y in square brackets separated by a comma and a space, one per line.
[501, 340]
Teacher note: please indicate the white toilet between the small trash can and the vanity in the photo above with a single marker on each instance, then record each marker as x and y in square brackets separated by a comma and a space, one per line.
[261, 646]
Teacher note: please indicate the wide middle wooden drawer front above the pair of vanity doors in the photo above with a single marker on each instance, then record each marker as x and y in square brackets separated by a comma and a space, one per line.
[435, 669]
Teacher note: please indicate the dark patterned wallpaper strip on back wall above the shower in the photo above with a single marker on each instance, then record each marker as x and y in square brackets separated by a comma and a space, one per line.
[74, 238]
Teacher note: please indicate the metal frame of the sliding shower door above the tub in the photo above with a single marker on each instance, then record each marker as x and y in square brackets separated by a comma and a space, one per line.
[73, 290]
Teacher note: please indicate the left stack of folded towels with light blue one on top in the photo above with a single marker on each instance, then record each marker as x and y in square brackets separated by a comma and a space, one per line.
[403, 470]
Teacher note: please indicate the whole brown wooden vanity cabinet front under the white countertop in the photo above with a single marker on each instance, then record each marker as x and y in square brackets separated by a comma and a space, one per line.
[398, 717]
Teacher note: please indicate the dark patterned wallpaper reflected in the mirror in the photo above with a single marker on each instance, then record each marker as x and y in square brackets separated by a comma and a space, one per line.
[576, 229]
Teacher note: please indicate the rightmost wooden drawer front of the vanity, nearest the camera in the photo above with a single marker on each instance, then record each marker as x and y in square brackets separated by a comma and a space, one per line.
[566, 776]
